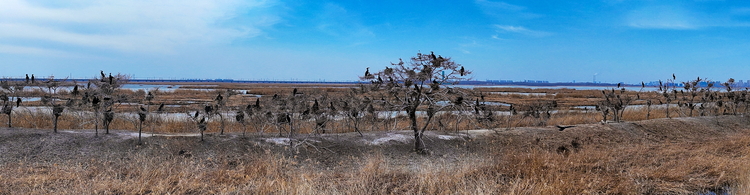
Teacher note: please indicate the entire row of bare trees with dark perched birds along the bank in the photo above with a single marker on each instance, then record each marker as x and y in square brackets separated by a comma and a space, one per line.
[419, 91]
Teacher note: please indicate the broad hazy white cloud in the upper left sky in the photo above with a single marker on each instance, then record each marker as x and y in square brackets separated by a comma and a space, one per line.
[131, 26]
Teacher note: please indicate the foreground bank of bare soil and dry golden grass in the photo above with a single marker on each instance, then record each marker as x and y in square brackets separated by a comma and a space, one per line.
[661, 156]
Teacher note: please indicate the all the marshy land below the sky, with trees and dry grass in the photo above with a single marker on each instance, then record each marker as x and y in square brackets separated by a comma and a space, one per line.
[523, 155]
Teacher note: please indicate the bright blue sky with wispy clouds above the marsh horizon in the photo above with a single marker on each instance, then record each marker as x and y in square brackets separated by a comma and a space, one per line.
[558, 41]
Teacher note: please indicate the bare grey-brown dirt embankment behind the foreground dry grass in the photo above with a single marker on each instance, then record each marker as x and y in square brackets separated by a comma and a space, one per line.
[40, 148]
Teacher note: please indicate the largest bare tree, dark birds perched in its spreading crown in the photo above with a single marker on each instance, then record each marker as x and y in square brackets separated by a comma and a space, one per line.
[418, 83]
